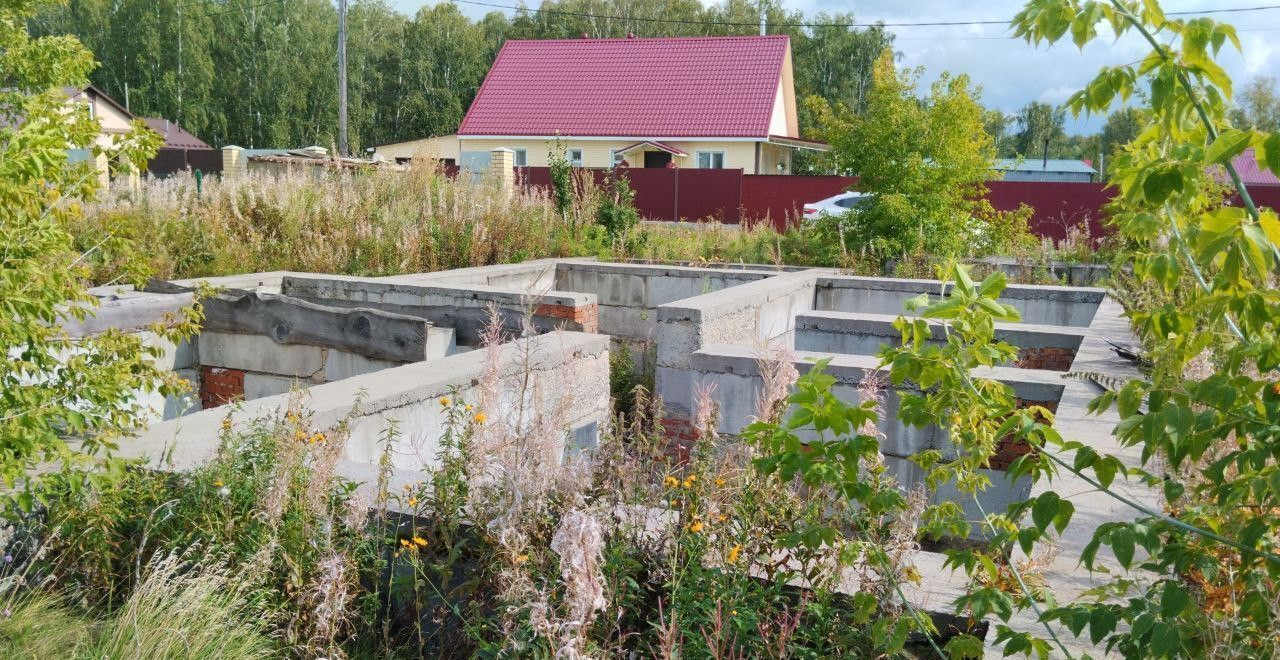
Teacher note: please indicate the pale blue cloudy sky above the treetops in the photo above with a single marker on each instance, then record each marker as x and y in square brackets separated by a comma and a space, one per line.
[1011, 72]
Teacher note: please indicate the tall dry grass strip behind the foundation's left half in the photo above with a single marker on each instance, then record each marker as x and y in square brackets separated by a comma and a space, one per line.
[367, 224]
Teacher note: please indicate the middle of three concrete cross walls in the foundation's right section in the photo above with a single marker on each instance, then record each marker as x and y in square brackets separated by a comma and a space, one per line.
[865, 334]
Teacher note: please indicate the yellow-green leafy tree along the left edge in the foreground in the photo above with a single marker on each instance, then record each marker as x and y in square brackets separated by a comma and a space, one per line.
[53, 387]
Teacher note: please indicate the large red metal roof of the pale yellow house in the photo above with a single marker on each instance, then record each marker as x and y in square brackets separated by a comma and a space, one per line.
[632, 88]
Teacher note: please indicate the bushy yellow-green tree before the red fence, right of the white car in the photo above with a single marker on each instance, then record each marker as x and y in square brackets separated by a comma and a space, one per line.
[925, 162]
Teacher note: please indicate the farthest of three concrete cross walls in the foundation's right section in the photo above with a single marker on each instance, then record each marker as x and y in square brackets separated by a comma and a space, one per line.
[1036, 304]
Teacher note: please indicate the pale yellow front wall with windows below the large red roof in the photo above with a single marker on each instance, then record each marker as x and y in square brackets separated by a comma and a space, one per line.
[597, 153]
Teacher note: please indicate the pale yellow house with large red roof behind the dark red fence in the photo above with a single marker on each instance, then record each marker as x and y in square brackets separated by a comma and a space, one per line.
[639, 103]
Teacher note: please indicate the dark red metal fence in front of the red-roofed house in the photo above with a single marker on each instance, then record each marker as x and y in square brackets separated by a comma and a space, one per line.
[730, 196]
